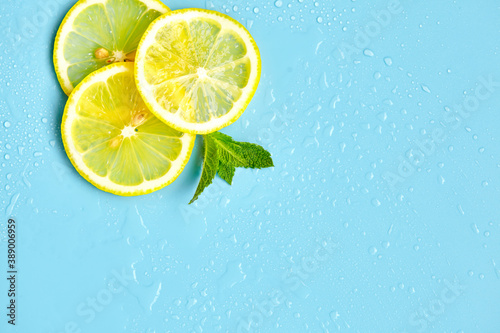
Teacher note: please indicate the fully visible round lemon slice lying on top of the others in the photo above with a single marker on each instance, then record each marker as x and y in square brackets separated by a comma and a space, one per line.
[197, 70]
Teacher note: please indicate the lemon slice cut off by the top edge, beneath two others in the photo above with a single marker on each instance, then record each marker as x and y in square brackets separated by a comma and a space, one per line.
[96, 33]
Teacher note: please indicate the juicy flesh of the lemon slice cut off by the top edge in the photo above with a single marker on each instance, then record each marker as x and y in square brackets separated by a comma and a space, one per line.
[104, 33]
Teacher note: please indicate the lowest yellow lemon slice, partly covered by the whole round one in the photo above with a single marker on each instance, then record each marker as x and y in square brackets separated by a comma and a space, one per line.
[114, 141]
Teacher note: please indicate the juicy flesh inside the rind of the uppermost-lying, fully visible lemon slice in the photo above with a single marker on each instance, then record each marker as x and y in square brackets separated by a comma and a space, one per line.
[197, 67]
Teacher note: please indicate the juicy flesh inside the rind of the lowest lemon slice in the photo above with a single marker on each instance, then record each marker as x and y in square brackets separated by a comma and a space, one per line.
[118, 137]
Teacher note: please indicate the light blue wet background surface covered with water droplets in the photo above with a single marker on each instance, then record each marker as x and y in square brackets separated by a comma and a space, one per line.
[242, 258]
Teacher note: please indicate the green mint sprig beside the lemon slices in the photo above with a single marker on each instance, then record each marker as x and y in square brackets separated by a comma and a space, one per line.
[222, 155]
